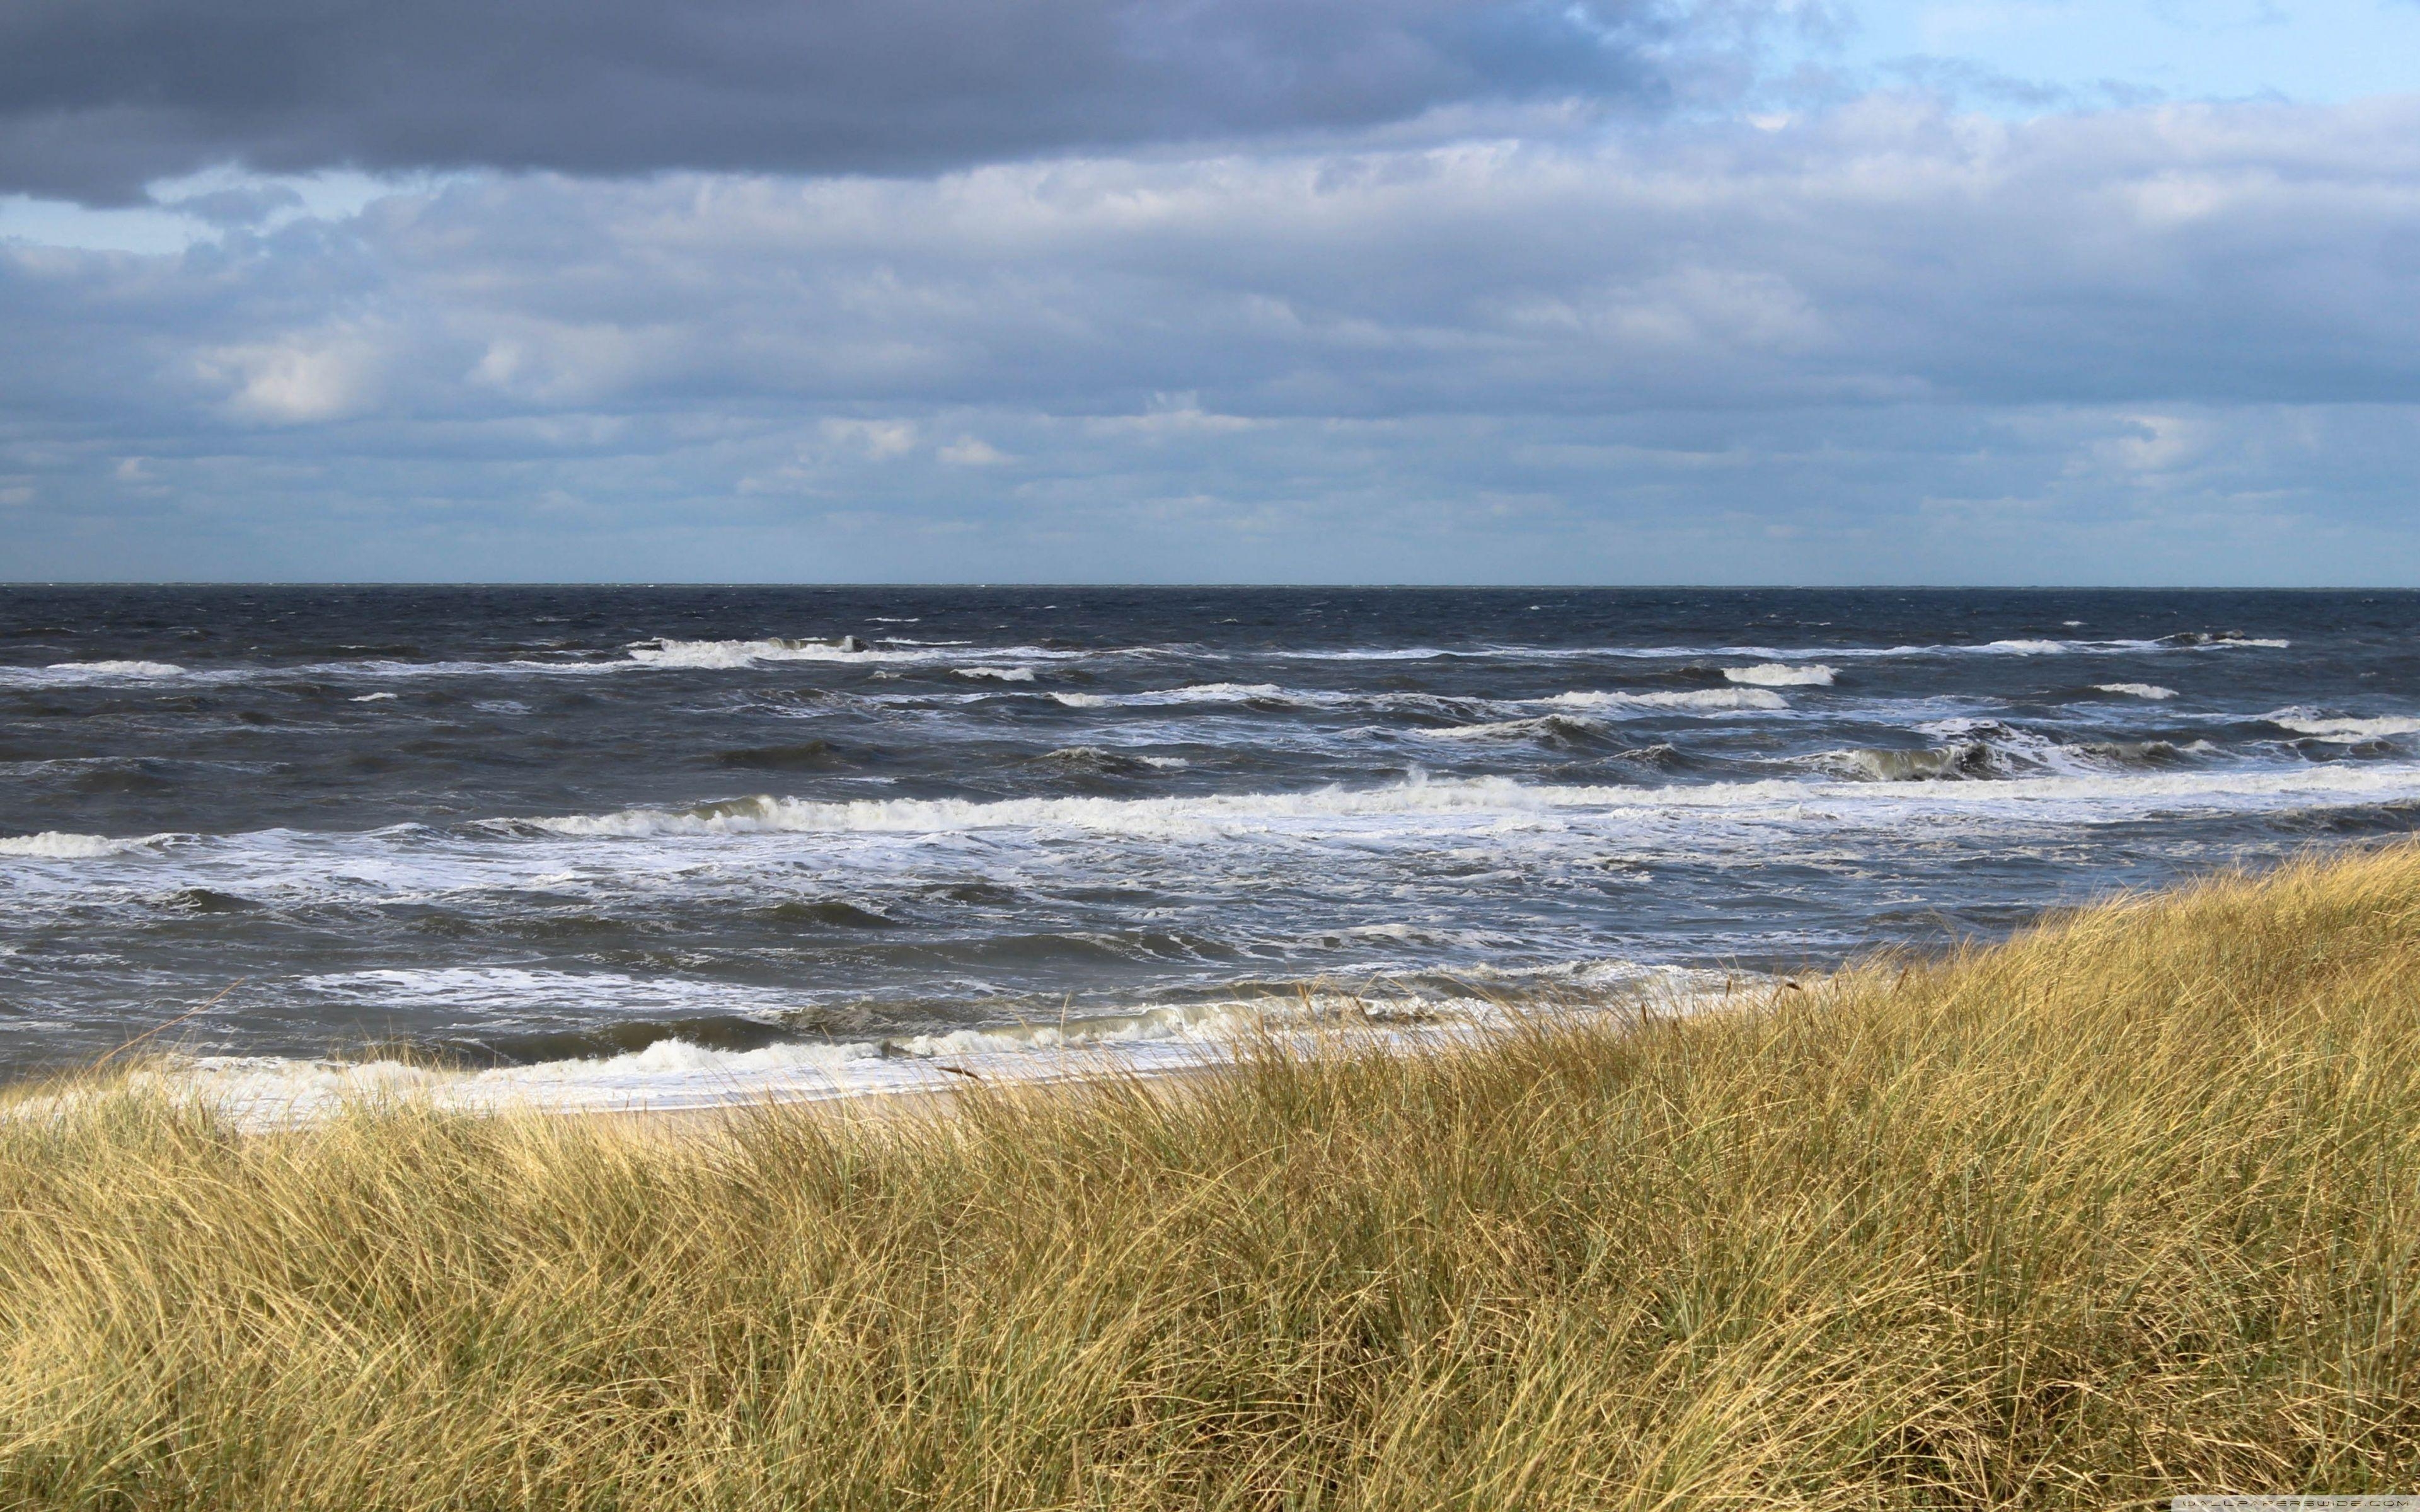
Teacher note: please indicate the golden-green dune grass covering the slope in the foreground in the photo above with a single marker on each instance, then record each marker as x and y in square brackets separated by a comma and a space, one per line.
[2124, 1208]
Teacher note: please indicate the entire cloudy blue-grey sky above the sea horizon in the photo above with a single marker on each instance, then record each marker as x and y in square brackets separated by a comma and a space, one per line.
[1344, 292]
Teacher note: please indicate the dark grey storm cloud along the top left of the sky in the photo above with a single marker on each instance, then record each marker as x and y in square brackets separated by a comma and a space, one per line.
[100, 98]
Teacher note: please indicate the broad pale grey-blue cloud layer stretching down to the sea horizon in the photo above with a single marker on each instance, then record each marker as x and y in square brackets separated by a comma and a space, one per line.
[1877, 342]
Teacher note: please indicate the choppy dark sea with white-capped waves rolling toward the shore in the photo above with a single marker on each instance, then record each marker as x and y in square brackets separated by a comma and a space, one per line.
[667, 846]
